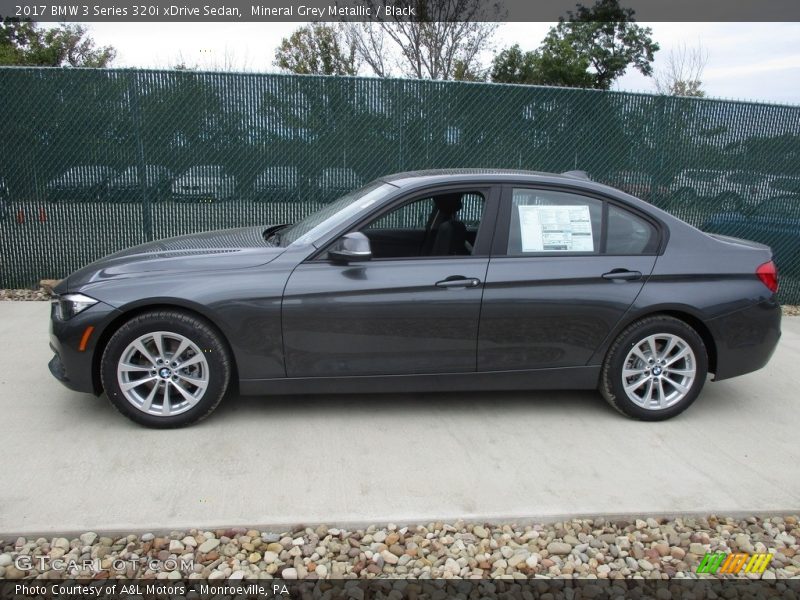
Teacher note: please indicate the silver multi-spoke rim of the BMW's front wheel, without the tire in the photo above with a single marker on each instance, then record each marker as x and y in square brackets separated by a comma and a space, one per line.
[163, 373]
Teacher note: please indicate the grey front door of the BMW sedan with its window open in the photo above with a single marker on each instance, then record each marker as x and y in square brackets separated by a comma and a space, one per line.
[414, 308]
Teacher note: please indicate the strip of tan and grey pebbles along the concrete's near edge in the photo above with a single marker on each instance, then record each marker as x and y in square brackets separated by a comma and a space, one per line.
[599, 548]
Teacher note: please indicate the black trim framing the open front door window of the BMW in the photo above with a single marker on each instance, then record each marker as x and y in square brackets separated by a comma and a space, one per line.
[483, 241]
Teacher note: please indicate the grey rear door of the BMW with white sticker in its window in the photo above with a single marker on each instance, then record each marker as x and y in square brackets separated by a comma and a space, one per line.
[565, 268]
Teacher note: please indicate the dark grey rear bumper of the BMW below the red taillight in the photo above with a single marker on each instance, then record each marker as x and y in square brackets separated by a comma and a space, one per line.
[746, 339]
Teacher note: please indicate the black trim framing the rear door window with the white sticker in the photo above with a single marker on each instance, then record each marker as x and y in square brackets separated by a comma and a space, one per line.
[500, 245]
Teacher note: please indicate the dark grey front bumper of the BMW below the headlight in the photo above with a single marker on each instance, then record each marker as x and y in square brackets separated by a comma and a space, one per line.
[71, 366]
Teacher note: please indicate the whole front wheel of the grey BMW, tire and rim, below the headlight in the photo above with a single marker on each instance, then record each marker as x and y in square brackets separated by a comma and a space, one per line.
[165, 369]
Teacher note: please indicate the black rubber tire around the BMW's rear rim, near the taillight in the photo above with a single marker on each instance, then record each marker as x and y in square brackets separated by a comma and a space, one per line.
[611, 379]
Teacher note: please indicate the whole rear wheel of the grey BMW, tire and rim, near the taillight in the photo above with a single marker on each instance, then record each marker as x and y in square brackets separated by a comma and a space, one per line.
[655, 369]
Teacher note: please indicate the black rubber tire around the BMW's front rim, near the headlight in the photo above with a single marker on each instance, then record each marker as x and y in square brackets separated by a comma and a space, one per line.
[195, 329]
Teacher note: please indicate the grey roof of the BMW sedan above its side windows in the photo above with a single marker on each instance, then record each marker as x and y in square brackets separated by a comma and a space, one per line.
[434, 176]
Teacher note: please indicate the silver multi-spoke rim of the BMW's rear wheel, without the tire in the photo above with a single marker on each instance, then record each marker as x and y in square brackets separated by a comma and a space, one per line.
[659, 371]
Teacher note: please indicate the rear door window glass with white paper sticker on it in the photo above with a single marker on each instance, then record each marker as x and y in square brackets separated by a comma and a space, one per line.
[549, 221]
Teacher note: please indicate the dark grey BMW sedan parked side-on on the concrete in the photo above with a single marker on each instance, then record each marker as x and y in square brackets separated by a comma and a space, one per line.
[424, 281]
